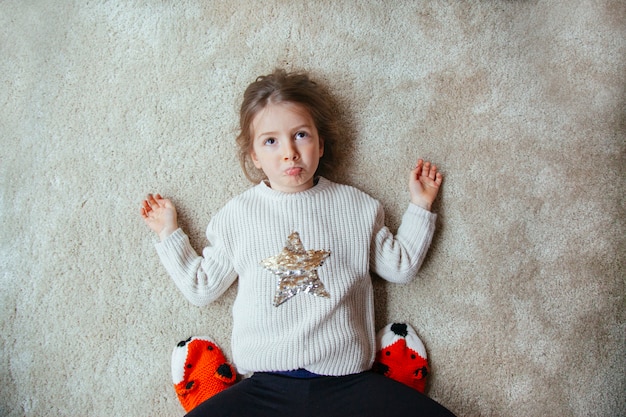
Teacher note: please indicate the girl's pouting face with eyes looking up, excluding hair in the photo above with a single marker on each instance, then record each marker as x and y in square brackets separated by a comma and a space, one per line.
[286, 146]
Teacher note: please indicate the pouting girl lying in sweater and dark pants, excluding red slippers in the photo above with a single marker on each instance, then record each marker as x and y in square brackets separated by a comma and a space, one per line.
[302, 248]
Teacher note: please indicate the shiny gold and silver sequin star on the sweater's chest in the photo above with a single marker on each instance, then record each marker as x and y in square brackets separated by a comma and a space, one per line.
[297, 270]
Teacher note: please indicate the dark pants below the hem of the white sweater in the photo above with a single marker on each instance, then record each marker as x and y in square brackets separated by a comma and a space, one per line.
[364, 394]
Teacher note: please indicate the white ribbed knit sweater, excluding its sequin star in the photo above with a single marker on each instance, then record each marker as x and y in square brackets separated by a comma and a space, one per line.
[328, 336]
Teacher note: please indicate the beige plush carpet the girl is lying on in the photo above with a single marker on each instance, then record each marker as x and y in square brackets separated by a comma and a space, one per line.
[522, 103]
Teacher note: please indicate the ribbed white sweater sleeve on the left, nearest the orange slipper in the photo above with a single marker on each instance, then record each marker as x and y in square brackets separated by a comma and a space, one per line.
[201, 279]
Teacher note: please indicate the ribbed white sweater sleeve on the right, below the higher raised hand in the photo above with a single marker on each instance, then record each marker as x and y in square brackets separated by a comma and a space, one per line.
[397, 259]
